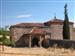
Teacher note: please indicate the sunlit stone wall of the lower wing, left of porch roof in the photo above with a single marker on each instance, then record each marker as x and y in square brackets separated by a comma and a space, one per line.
[16, 33]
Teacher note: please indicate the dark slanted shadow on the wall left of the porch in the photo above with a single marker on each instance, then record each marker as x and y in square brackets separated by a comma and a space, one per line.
[23, 41]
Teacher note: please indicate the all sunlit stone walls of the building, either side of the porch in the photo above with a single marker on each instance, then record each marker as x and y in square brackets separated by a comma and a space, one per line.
[55, 30]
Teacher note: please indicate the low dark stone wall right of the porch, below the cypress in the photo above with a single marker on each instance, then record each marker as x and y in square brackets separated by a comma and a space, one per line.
[62, 43]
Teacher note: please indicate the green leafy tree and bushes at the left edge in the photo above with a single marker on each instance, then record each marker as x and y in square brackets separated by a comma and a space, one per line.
[4, 40]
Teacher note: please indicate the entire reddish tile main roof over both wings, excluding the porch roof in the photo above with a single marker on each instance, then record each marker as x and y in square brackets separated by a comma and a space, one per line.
[48, 23]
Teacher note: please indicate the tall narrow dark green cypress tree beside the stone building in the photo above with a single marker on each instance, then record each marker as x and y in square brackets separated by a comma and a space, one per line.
[66, 30]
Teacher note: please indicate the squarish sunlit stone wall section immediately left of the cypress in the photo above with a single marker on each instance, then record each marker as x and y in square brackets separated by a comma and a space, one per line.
[56, 32]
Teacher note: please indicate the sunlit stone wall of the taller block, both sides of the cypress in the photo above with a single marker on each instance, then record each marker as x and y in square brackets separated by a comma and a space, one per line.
[57, 32]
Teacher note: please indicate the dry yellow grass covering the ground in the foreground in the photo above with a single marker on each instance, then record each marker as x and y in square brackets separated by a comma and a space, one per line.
[9, 51]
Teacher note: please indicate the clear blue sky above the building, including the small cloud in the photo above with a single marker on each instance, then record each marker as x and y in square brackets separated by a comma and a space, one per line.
[23, 11]
